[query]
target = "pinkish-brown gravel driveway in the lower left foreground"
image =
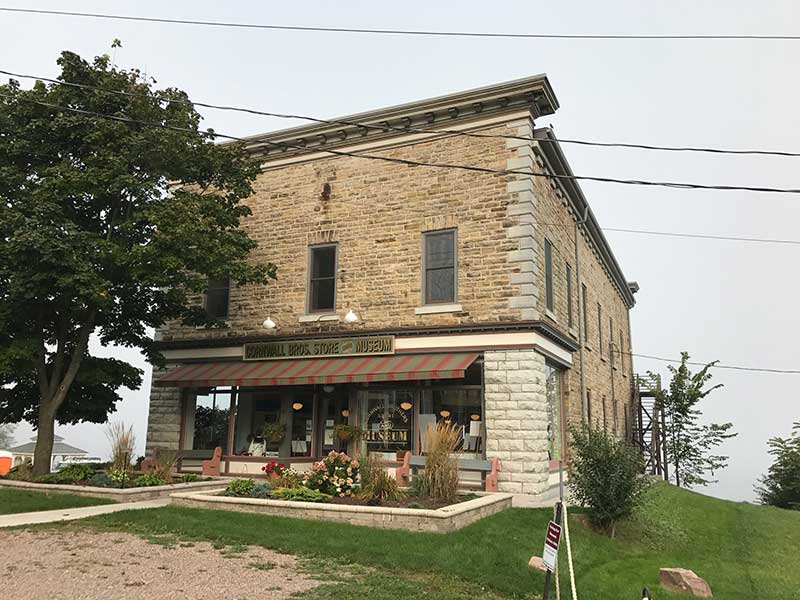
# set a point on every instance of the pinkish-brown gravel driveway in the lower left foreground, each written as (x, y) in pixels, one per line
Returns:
(87, 565)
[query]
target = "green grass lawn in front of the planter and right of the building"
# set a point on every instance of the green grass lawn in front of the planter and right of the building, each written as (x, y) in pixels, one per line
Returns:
(743, 551)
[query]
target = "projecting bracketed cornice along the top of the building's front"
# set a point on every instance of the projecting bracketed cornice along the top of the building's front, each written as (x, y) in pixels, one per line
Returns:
(443, 112)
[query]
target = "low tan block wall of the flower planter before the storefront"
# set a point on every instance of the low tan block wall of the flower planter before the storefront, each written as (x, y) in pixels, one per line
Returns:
(442, 520)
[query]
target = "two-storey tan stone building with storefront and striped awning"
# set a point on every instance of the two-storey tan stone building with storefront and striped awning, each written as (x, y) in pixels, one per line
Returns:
(407, 295)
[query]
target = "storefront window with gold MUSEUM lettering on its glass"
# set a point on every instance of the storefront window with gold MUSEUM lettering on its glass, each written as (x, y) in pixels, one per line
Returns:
(387, 420)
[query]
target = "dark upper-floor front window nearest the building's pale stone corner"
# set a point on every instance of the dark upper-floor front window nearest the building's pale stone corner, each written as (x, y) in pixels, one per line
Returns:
(439, 271)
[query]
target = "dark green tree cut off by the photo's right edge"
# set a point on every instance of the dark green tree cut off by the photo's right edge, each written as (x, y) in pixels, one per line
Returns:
(781, 485)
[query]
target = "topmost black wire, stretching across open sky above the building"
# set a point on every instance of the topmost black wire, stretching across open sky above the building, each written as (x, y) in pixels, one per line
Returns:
(415, 32)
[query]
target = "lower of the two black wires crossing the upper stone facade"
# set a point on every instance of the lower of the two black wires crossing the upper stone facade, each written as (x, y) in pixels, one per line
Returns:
(436, 165)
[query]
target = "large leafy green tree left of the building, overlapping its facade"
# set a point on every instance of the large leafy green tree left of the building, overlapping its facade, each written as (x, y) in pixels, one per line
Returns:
(107, 227)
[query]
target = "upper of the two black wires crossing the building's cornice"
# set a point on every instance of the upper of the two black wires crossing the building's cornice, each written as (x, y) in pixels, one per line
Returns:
(387, 128)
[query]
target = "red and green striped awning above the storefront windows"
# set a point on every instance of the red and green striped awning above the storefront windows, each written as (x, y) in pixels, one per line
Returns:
(397, 367)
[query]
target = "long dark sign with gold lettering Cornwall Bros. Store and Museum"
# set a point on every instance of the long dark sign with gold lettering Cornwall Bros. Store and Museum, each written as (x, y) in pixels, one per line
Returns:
(350, 346)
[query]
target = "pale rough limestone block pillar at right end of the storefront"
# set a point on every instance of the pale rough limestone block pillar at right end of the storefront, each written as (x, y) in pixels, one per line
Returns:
(516, 419)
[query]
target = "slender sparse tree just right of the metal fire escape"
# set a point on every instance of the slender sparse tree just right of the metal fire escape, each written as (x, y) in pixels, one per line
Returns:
(689, 444)
